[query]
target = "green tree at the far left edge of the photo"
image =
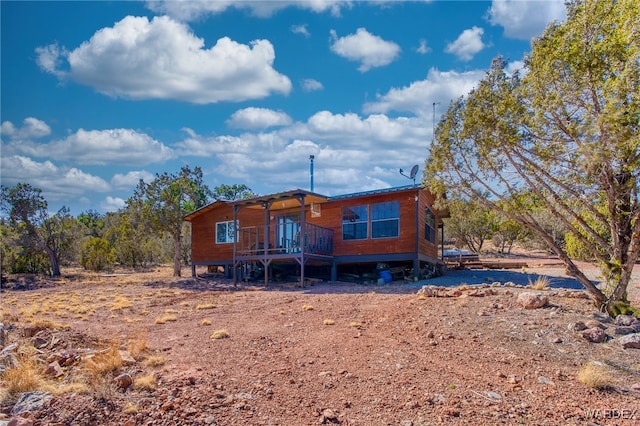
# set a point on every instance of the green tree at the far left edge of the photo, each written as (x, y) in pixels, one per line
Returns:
(27, 210)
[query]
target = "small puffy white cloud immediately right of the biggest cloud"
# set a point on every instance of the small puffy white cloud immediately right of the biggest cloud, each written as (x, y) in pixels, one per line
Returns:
(368, 49)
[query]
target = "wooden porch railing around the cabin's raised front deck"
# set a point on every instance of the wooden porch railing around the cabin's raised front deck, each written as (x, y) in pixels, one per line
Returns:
(288, 238)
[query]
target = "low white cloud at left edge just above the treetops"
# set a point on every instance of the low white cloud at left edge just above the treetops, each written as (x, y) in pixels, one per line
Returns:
(57, 183)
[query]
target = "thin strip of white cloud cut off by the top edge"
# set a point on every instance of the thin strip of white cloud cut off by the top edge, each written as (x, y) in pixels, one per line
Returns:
(190, 10)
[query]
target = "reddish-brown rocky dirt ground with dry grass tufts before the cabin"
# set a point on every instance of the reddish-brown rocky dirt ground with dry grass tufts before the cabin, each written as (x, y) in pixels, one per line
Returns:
(205, 353)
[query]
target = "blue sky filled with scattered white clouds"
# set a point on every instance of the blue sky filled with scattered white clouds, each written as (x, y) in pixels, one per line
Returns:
(97, 95)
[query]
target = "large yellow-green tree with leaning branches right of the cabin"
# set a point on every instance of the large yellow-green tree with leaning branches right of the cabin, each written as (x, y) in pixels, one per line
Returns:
(561, 137)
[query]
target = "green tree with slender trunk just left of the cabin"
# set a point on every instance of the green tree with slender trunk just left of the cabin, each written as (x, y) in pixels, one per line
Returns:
(166, 200)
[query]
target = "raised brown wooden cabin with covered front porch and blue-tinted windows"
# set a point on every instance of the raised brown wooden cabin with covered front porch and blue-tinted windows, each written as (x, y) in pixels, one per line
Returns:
(308, 234)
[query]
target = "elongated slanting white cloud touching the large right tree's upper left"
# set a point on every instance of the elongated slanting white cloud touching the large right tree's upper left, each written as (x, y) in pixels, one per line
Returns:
(418, 98)
